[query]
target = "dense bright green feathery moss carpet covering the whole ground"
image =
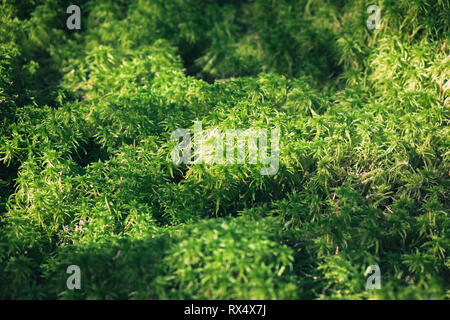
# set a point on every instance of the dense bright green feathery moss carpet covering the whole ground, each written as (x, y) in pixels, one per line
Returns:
(86, 176)
